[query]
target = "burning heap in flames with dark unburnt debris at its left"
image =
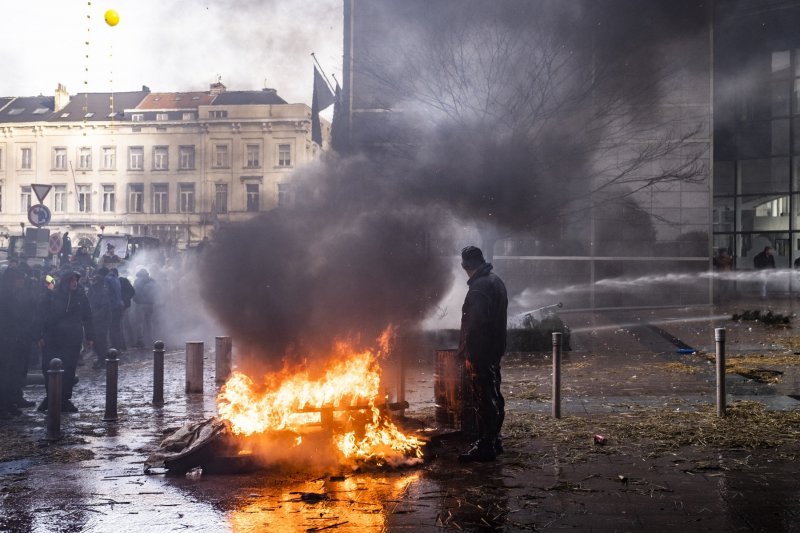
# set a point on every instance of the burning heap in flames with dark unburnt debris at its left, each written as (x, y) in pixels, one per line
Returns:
(338, 417)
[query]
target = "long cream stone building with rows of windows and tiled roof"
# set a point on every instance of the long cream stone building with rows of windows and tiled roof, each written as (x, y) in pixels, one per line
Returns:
(173, 165)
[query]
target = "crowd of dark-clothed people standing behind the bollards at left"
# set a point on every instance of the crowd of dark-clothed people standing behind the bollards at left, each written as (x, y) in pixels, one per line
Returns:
(74, 312)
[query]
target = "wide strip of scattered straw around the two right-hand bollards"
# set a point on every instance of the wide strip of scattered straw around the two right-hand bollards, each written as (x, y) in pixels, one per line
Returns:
(658, 431)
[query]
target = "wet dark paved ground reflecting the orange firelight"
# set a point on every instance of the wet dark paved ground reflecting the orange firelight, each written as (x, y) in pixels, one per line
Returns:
(551, 476)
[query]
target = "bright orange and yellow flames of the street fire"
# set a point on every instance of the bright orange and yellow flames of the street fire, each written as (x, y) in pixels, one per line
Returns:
(344, 400)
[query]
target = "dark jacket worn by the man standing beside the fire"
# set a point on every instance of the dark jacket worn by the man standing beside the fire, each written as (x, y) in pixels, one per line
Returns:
(483, 318)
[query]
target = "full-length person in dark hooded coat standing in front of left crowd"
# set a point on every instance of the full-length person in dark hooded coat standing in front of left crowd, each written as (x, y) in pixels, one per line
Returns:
(67, 321)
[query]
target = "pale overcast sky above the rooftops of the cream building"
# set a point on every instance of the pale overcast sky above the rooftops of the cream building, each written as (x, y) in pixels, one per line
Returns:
(168, 45)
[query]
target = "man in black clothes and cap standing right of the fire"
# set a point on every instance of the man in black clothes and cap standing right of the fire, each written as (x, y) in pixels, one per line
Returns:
(482, 345)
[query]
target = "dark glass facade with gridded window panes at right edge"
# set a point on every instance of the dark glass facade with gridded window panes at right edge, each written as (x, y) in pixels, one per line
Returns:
(757, 130)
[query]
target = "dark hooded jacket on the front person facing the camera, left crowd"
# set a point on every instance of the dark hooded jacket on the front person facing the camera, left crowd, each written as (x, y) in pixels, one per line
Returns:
(67, 315)
